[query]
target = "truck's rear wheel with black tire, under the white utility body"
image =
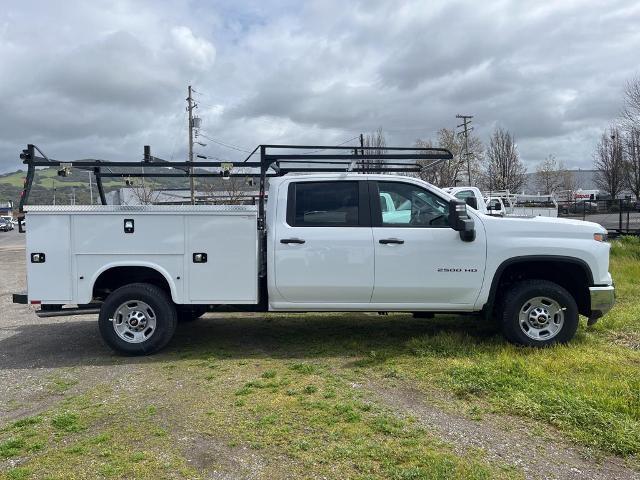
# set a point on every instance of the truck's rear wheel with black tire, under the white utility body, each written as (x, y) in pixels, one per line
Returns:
(137, 319)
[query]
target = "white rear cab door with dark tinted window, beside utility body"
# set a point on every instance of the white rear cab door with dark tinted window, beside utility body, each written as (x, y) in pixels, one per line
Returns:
(323, 245)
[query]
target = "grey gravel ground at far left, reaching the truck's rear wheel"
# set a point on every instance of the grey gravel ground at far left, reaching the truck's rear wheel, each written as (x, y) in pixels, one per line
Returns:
(35, 353)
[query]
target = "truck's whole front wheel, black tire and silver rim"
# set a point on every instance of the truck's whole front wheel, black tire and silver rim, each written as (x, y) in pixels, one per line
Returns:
(538, 313)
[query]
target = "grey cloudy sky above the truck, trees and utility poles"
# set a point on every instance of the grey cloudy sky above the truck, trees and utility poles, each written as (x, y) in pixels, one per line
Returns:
(101, 79)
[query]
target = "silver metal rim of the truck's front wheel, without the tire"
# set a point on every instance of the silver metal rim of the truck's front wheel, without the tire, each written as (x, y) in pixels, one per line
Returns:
(541, 318)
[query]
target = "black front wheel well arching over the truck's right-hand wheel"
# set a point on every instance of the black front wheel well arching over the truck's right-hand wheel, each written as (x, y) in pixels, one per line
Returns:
(575, 277)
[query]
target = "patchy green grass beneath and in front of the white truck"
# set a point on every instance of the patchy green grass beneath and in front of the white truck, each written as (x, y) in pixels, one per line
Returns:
(288, 396)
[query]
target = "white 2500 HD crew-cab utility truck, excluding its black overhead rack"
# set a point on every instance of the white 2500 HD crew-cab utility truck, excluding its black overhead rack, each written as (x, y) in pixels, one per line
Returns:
(329, 244)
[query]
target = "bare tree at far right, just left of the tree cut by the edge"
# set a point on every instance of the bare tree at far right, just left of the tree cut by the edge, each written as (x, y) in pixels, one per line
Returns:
(609, 163)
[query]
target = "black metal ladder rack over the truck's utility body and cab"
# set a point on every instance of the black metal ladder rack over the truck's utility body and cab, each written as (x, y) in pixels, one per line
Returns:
(274, 160)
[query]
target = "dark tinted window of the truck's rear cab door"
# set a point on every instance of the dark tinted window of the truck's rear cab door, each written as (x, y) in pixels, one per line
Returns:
(325, 204)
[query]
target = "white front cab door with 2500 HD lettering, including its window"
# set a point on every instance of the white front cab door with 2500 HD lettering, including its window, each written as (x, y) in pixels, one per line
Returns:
(419, 260)
